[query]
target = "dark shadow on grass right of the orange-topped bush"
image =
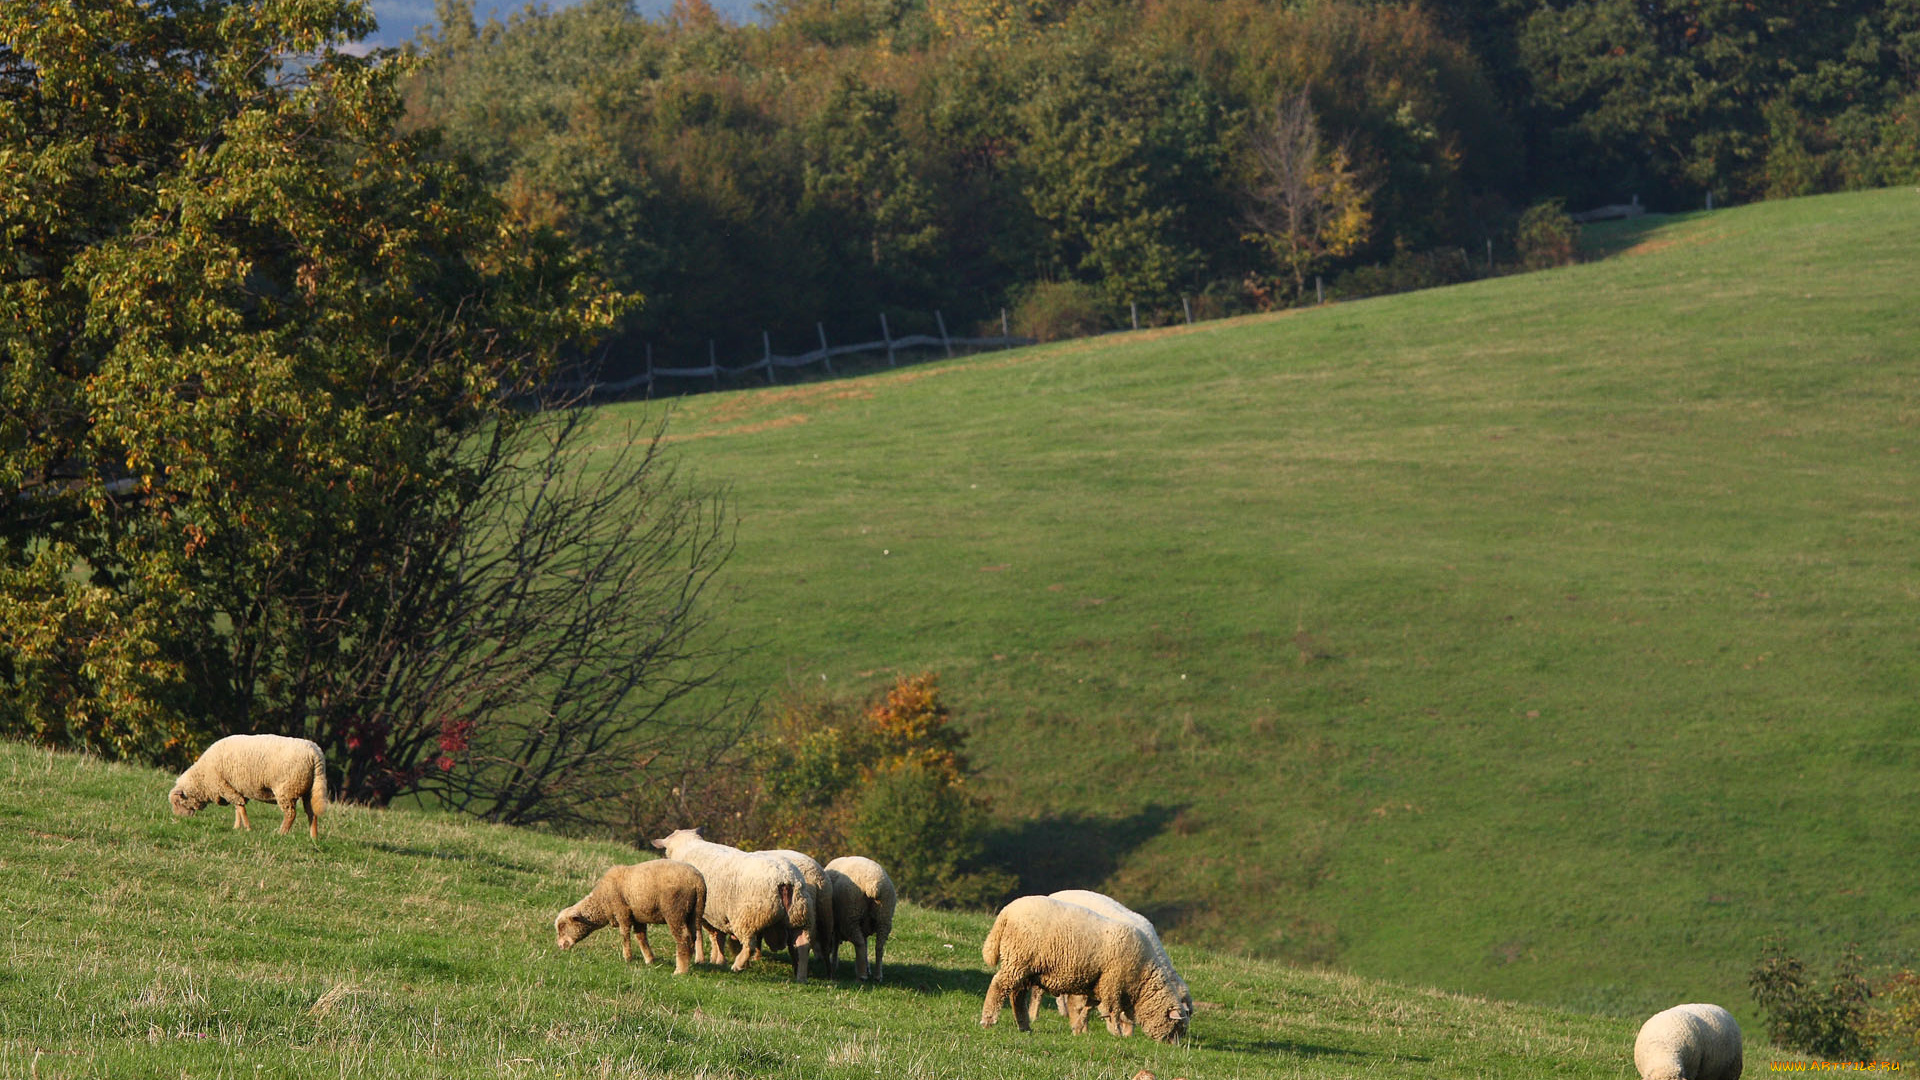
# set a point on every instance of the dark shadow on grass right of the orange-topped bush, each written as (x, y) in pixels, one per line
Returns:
(1074, 850)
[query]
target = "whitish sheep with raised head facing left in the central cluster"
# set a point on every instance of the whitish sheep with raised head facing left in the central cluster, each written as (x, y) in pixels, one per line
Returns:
(754, 898)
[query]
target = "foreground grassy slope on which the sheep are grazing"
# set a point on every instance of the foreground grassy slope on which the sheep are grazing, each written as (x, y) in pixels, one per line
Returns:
(420, 946)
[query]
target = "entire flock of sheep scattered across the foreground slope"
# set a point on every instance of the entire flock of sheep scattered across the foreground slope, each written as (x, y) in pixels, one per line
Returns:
(1088, 950)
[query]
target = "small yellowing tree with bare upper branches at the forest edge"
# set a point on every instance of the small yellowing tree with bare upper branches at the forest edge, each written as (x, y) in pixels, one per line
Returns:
(1307, 203)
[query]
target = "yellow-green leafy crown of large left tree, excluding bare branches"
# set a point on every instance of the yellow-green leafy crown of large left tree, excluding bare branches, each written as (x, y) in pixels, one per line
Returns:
(249, 335)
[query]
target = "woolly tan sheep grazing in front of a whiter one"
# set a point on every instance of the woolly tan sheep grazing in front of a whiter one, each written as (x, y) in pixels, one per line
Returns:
(1065, 948)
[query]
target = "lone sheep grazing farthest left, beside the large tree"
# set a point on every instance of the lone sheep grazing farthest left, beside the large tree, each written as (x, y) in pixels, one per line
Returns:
(256, 768)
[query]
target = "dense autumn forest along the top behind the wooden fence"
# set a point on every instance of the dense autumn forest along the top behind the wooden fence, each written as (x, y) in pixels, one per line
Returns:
(859, 157)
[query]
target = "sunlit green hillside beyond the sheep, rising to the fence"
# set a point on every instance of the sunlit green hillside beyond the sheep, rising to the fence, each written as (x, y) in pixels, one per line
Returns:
(1550, 637)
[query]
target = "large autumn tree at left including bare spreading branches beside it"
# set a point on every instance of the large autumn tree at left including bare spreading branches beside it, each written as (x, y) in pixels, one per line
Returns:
(264, 454)
